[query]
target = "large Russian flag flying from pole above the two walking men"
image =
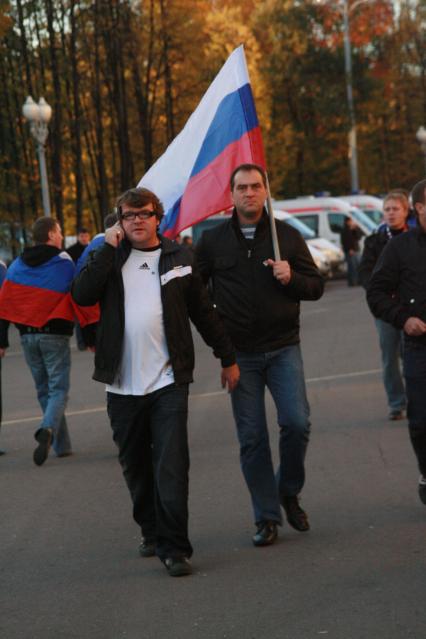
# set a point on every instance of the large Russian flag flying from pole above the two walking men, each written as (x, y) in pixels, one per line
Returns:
(191, 178)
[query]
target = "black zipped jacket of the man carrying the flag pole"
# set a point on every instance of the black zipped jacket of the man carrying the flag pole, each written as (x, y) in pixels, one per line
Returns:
(260, 313)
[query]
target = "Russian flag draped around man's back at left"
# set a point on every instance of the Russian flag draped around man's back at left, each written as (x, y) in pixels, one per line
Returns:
(34, 295)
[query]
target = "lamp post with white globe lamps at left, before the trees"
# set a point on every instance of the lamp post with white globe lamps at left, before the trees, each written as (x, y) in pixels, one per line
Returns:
(39, 116)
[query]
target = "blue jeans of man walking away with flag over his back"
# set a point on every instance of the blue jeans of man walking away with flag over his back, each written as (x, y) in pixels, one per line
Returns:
(49, 359)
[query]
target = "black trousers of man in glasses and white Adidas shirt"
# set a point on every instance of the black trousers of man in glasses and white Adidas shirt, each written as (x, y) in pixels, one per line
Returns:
(151, 434)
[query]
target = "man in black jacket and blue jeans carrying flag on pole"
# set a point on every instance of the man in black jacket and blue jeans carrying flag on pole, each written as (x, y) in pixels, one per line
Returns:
(259, 301)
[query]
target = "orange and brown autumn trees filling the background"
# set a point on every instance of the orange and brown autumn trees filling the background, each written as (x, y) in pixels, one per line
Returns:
(123, 76)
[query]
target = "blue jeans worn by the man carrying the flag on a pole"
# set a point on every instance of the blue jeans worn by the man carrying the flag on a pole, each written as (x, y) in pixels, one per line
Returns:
(282, 373)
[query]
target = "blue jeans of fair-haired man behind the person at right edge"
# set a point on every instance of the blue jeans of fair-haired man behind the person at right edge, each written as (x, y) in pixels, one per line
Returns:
(391, 349)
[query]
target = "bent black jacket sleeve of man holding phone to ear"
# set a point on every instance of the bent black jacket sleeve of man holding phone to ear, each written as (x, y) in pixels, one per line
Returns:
(89, 285)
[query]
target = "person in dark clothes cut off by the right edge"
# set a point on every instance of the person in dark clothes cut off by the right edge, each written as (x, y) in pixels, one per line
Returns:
(396, 293)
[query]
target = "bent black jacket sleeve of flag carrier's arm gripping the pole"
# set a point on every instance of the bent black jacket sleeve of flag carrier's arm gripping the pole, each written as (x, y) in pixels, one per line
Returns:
(306, 282)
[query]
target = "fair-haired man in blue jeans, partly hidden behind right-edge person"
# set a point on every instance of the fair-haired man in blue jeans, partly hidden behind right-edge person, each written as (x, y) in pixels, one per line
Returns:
(395, 210)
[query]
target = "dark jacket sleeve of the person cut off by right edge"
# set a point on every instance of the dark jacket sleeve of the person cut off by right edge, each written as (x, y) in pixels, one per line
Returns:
(383, 286)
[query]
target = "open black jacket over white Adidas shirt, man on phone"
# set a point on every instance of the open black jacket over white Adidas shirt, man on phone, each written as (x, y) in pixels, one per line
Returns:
(183, 298)
